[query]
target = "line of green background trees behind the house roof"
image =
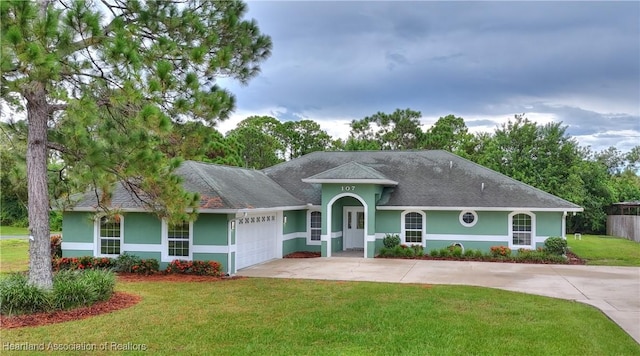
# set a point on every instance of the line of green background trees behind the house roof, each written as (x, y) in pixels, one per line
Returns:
(544, 156)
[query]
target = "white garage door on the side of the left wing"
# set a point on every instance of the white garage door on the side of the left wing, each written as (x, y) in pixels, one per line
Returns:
(256, 239)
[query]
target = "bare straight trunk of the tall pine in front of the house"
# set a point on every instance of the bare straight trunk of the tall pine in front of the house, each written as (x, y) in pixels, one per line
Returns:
(40, 273)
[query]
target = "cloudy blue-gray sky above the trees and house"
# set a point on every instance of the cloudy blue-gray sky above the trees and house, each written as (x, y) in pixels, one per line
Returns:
(332, 62)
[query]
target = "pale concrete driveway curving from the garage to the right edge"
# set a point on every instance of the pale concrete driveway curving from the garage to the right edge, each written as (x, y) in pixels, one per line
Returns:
(614, 290)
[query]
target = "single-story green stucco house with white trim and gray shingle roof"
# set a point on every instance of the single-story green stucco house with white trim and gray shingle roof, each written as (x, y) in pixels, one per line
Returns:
(328, 202)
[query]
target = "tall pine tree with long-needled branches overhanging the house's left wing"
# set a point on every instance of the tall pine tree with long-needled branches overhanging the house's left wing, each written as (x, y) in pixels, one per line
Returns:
(101, 82)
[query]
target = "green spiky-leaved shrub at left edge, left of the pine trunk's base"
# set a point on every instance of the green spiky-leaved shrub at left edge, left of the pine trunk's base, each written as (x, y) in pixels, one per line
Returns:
(18, 296)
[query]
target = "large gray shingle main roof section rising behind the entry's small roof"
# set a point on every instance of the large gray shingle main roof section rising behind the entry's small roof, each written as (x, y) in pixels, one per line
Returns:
(425, 179)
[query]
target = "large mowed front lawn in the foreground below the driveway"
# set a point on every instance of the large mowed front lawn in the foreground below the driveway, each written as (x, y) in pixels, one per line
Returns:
(303, 317)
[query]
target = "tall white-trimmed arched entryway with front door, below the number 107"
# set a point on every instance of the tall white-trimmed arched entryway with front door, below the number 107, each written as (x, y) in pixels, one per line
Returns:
(351, 210)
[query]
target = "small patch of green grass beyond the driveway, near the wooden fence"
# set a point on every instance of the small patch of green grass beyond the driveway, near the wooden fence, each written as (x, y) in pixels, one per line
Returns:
(606, 250)
